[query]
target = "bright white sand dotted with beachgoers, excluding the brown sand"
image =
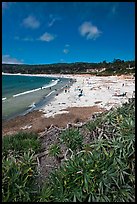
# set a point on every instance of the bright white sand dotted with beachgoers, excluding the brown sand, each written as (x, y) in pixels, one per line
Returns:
(95, 89)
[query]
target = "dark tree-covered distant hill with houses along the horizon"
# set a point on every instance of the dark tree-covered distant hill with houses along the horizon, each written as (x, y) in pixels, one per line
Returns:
(102, 68)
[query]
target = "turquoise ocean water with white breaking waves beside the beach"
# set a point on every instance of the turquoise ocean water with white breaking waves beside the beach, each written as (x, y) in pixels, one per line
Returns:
(23, 94)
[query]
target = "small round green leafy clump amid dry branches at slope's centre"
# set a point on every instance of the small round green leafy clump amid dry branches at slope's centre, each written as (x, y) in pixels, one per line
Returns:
(72, 139)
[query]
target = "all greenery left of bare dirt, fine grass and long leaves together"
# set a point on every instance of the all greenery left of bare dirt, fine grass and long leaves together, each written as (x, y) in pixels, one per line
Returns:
(19, 167)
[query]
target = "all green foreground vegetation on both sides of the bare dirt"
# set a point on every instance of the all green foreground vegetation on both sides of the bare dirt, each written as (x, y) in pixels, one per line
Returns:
(101, 171)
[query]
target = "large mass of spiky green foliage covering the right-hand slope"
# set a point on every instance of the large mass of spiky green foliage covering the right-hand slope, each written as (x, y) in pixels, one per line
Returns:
(104, 170)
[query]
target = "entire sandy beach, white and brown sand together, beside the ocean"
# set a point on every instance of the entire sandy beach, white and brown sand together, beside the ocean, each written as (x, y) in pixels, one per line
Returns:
(76, 103)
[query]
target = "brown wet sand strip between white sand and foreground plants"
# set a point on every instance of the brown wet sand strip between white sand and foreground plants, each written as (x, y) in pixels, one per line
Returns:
(37, 123)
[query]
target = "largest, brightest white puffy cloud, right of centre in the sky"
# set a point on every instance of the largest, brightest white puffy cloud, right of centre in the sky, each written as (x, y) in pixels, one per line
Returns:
(90, 31)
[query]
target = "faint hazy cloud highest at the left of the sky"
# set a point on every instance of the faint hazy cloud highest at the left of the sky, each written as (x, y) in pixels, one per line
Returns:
(31, 22)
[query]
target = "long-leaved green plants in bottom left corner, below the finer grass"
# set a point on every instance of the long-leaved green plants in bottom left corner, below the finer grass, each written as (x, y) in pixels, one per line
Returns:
(18, 176)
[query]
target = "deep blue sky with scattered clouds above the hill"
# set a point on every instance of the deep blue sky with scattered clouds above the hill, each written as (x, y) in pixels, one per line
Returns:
(57, 32)
